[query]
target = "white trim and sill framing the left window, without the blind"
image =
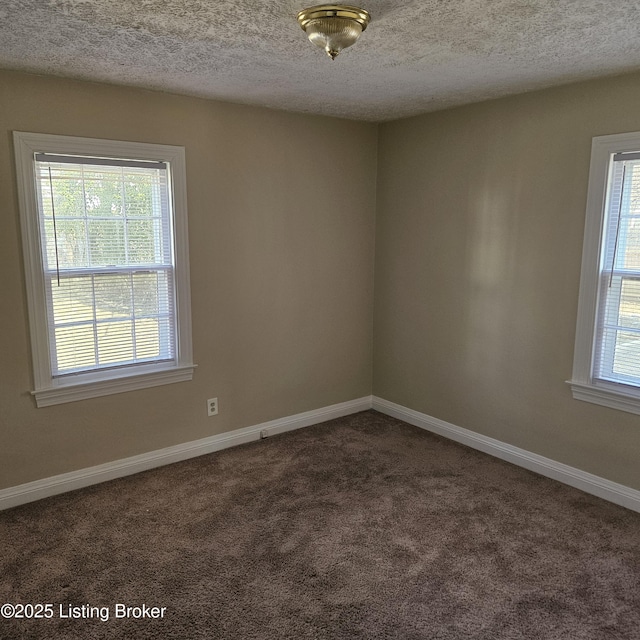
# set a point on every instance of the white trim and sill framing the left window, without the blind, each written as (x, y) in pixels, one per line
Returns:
(49, 391)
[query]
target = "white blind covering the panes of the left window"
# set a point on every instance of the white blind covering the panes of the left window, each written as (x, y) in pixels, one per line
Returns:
(107, 253)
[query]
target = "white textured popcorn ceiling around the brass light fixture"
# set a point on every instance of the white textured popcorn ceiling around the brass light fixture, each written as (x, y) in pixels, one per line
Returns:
(415, 56)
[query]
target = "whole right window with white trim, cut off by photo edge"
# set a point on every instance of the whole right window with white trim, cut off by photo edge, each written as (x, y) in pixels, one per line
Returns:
(607, 352)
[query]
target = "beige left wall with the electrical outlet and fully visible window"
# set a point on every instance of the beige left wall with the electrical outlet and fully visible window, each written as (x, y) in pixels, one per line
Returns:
(281, 231)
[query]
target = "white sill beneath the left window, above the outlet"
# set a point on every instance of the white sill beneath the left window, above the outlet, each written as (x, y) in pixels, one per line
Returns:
(85, 390)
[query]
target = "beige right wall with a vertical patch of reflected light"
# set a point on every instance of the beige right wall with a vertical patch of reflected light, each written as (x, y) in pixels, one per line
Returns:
(479, 241)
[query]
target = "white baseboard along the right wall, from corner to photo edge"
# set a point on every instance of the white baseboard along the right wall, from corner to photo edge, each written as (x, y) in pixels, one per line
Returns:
(587, 482)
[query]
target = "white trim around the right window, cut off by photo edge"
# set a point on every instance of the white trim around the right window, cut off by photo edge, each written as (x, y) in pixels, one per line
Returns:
(583, 385)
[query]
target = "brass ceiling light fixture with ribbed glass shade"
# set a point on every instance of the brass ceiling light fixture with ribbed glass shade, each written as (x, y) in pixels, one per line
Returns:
(333, 27)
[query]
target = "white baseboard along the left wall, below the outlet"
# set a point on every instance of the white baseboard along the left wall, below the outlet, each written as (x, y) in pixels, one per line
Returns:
(21, 494)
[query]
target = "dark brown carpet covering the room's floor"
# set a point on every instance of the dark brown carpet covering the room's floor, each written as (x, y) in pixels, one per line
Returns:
(359, 528)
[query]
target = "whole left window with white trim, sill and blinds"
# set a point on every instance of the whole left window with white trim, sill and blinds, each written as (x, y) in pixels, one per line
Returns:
(105, 243)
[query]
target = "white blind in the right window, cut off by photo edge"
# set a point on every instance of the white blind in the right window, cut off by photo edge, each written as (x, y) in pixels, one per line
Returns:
(617, 336)
